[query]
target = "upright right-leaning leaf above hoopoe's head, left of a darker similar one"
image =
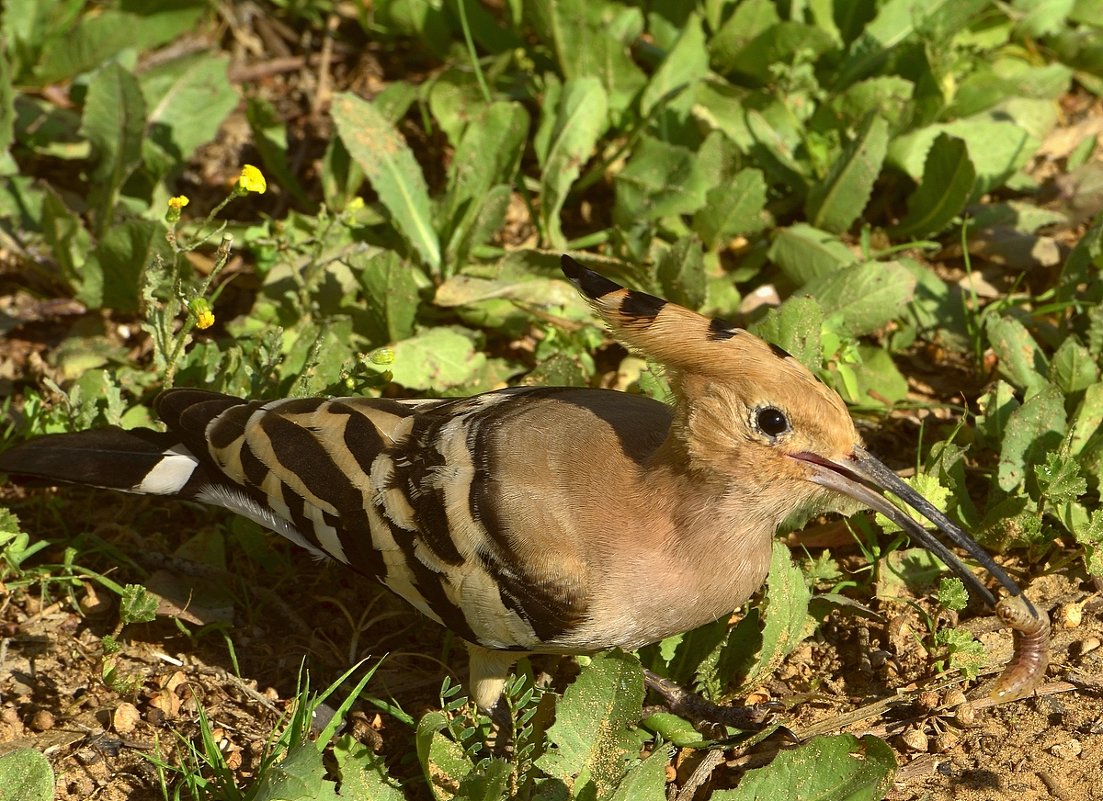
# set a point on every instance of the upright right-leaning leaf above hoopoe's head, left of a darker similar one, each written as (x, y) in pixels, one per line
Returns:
(837, 202)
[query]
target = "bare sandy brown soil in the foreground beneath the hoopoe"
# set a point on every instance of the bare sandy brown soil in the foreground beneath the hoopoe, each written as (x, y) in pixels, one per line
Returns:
(860, 674)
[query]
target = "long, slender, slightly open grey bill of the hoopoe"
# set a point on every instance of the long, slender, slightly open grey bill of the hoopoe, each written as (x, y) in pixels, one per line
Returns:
(864, 478)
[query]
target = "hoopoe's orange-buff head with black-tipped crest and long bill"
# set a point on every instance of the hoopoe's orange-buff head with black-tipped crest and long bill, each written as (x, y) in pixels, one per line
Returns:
(747, 412)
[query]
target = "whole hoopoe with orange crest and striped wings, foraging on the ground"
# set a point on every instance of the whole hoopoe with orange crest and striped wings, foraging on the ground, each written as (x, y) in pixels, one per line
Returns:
(532, 520)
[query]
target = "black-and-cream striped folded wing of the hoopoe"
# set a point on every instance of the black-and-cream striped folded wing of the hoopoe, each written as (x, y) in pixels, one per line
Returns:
(419, 495)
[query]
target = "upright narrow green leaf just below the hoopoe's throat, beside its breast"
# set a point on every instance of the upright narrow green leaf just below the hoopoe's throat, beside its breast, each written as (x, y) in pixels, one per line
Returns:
(787, 614)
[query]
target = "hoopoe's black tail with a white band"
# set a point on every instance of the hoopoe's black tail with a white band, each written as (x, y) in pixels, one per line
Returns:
(135, 461)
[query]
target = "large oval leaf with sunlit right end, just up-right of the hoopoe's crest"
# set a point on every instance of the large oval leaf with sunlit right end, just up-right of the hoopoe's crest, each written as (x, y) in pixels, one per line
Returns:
(865, 296)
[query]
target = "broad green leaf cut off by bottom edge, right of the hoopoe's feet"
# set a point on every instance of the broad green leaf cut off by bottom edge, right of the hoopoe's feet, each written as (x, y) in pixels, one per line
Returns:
(837, 768)
